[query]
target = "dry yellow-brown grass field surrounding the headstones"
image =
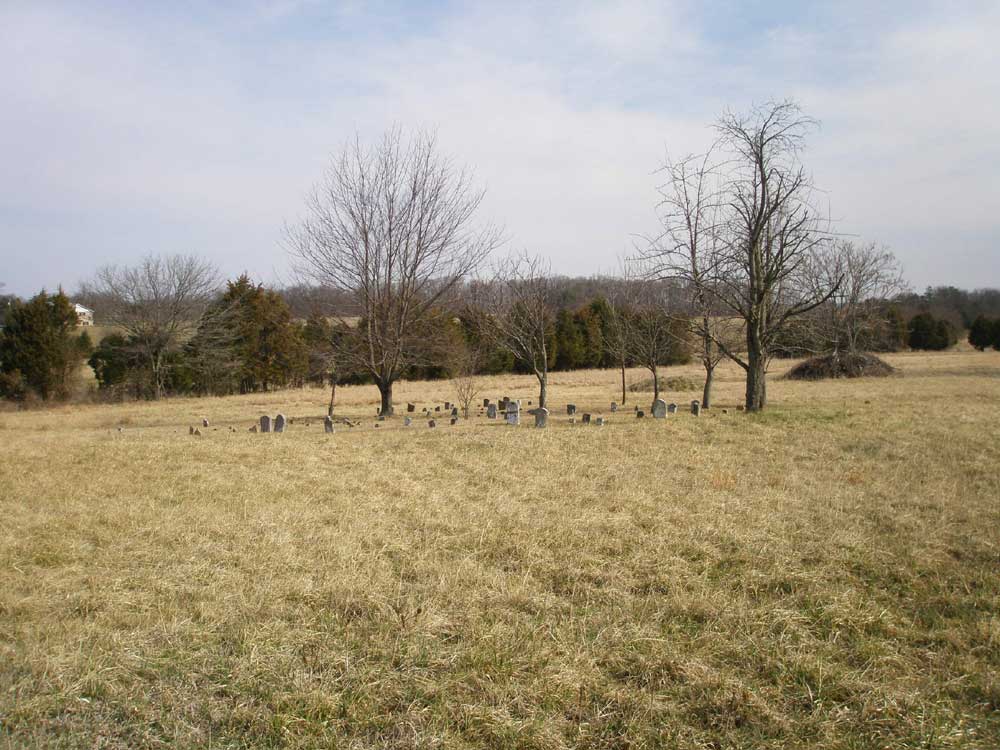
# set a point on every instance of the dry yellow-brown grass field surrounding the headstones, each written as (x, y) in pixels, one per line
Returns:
(823, 575)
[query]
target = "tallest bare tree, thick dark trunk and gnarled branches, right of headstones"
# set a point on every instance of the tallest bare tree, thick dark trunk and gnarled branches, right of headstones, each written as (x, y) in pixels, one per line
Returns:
(751, 259)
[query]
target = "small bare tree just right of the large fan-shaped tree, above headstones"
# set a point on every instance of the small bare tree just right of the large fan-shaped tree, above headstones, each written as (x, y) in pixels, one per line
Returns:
(520, 313)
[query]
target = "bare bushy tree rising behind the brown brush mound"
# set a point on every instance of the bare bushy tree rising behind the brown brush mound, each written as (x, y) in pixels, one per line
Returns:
(865, 277)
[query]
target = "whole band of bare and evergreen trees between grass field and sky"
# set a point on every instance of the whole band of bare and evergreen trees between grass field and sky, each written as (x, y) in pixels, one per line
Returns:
(399, 278)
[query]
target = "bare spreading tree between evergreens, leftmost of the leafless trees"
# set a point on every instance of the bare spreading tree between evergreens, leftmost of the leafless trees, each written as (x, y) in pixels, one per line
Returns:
(157, 304)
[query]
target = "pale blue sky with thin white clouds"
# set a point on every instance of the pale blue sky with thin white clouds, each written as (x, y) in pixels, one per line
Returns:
(189, 127)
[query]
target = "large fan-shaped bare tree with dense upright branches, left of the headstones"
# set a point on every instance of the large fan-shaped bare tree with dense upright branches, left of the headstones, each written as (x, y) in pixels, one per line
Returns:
(393, 226)
